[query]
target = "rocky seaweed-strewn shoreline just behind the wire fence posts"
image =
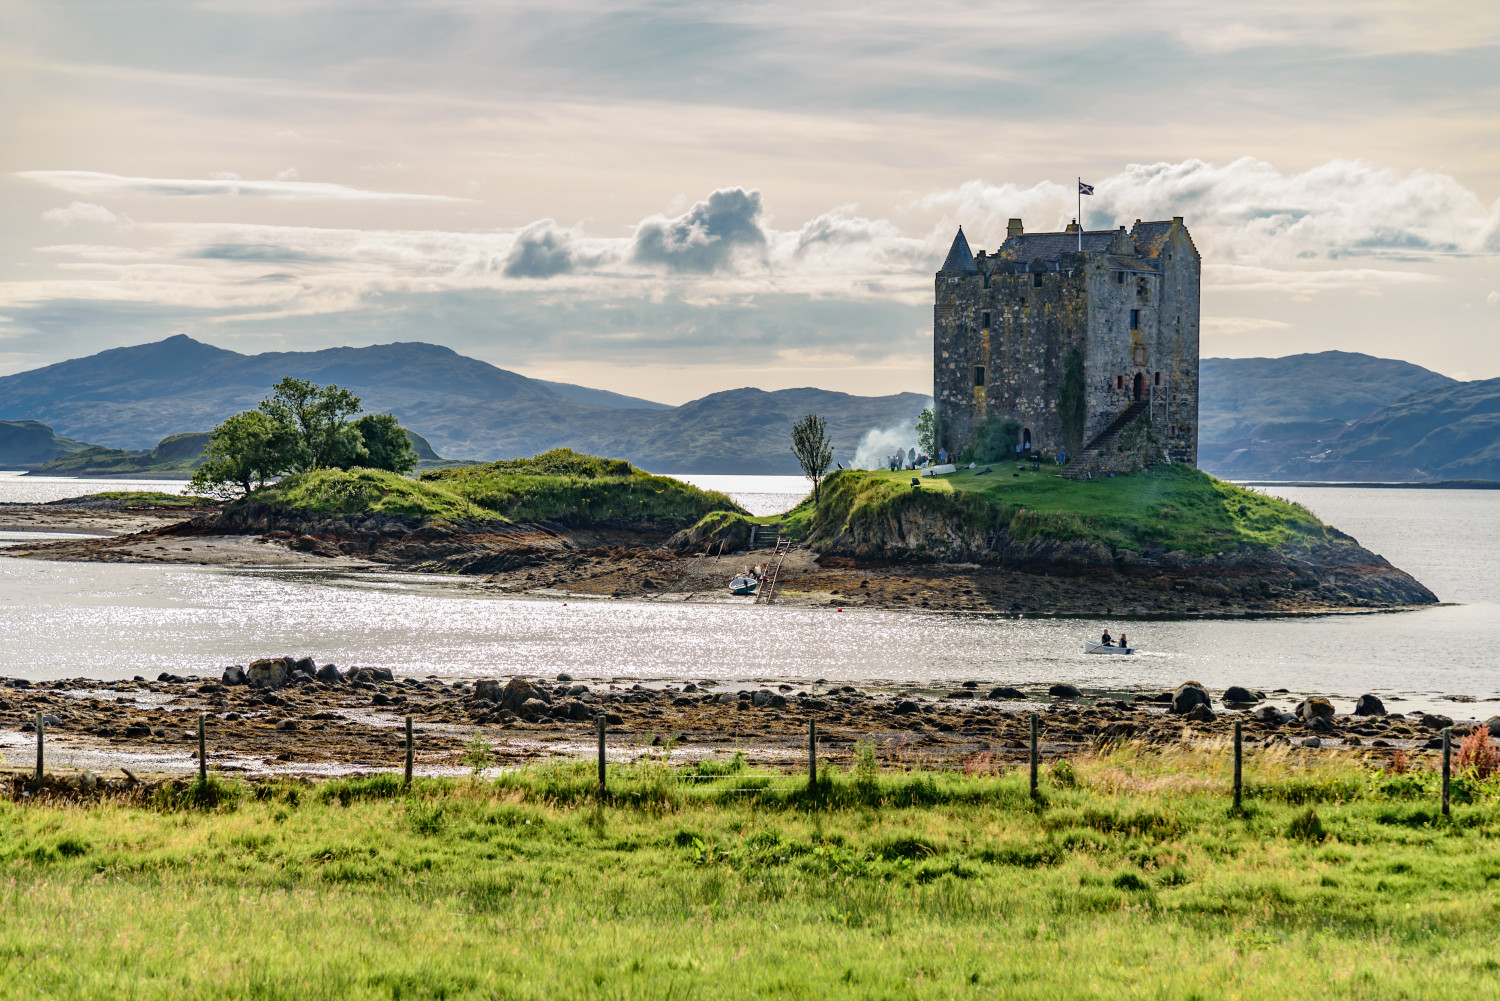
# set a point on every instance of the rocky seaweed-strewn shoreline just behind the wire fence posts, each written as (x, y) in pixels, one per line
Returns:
(293, 717)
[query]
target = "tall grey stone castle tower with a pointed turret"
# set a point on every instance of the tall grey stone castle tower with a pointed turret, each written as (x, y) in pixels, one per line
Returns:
(1087, 343)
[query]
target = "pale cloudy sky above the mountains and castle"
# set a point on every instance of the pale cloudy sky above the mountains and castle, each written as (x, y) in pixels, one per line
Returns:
(674, 199)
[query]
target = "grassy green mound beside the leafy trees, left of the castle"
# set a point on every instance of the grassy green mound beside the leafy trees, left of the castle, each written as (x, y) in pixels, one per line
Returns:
(559, 487)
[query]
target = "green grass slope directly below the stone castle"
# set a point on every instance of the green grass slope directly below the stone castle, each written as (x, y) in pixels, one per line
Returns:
(1174, 507)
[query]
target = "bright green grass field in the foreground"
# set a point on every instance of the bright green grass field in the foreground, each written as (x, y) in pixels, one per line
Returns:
(1130, 880)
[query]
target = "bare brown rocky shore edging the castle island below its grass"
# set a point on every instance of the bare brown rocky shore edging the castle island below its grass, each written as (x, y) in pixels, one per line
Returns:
(1033, 579)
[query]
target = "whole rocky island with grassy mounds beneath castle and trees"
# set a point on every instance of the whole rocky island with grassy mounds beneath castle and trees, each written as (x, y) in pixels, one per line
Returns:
(1006, 540)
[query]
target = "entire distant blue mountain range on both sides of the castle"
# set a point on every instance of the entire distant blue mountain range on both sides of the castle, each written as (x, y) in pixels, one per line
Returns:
(1328, 416)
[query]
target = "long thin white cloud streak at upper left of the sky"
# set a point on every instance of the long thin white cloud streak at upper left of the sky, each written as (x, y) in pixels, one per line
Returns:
(97, 185)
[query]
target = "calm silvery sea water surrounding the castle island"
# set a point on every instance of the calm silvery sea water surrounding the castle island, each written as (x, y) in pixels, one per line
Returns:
(118, 621)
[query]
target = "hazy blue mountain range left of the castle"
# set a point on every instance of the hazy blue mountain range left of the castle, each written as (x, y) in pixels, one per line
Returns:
(133, 398)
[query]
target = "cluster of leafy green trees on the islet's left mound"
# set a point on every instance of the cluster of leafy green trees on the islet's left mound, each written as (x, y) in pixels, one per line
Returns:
(301, 427)
